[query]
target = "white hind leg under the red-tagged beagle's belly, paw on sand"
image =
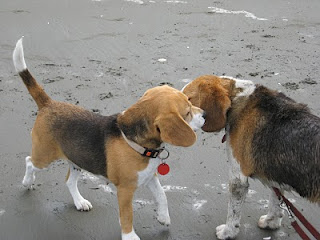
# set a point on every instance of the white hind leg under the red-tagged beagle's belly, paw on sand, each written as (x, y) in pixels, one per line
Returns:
(72, 183)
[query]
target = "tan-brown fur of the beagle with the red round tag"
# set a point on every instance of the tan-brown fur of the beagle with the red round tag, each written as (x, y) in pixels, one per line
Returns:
(163, 109)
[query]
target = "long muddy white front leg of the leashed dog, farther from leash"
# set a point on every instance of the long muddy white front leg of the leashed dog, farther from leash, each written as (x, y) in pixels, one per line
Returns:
(238, 188)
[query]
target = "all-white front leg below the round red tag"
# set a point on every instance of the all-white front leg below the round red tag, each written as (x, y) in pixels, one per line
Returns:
(161, 199)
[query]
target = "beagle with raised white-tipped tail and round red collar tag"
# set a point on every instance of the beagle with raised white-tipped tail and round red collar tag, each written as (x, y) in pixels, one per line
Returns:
(122, 147)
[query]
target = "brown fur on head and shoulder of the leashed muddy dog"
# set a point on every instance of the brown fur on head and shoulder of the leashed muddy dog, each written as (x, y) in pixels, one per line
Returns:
(244, 116)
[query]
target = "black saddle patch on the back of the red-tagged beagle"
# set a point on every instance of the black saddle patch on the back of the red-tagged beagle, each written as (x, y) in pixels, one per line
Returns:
(83, 136)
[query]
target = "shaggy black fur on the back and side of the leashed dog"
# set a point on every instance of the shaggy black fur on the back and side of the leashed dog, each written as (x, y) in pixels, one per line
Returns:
(287, 148)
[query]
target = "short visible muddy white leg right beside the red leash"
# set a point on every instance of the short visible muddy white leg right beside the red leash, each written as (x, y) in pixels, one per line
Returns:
(274, 217)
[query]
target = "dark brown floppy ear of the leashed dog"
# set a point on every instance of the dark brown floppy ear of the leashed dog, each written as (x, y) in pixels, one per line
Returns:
(215, 101)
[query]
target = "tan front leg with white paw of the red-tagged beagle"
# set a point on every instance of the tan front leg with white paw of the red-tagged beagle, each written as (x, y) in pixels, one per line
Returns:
(125, 196)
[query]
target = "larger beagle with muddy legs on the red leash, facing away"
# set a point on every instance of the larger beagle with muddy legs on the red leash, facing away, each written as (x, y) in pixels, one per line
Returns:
(269, 137)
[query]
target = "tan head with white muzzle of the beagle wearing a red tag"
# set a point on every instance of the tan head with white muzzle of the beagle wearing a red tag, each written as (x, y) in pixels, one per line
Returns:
(162, 114)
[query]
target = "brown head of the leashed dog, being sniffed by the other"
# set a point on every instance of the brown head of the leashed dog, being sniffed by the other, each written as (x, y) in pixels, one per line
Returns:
(211, 94)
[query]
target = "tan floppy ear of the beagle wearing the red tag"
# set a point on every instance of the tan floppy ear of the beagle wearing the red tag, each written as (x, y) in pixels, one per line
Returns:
(174, 130)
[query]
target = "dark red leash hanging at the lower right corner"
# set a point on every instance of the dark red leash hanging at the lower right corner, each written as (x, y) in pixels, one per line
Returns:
(292, 210)
